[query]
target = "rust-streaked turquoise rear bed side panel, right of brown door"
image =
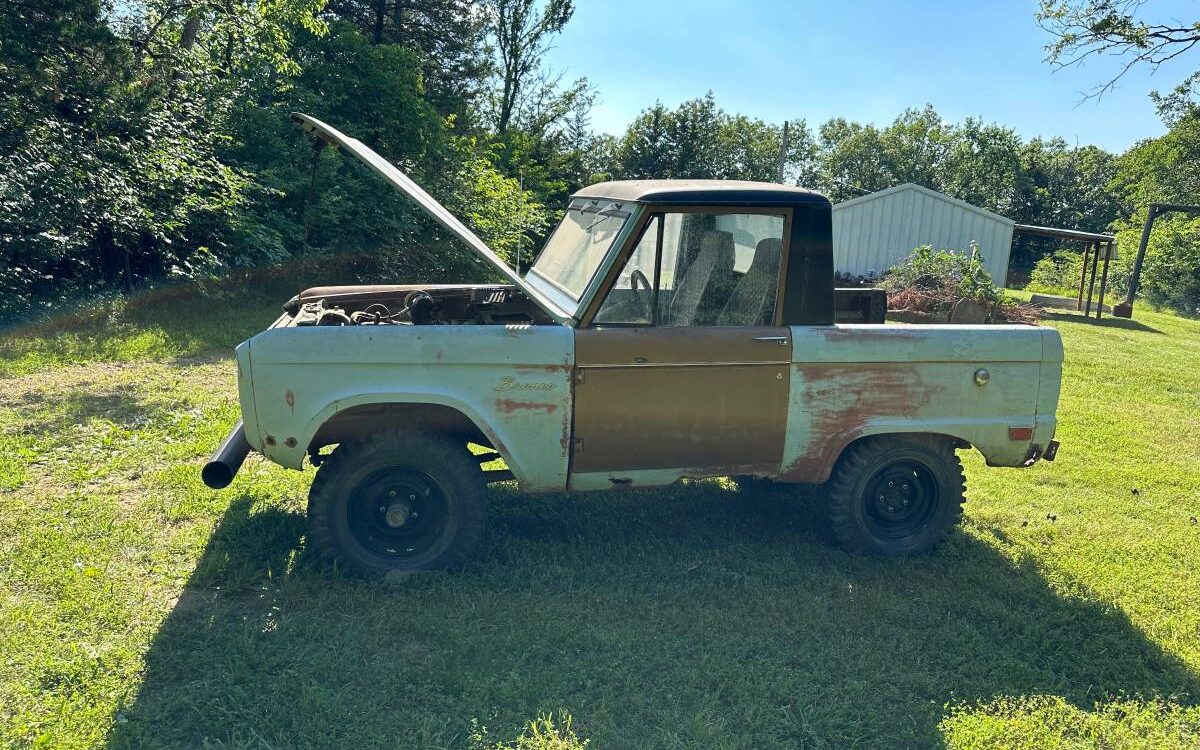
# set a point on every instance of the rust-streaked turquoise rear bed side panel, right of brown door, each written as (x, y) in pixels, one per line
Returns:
(854, 381)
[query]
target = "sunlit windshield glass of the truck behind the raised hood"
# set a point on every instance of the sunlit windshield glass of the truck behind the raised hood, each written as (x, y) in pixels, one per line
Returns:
(578, 247)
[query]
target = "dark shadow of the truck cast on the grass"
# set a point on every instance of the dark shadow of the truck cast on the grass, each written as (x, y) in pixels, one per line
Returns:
(695, 616)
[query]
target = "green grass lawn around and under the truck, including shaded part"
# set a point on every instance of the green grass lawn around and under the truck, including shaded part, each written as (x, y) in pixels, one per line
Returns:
(141, 610)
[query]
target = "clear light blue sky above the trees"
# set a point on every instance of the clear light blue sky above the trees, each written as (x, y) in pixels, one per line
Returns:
(865, 61)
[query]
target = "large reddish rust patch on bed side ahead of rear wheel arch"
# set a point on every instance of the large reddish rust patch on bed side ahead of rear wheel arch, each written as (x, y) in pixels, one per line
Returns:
(842, 400)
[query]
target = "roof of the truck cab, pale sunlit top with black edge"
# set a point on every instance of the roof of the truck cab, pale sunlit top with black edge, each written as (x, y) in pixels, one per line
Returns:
(704, 193)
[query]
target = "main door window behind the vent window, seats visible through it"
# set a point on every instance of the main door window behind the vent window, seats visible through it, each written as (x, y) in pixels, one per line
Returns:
(724, 269)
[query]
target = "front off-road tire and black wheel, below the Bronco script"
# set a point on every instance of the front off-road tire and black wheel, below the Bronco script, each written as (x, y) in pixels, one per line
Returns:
(343, 503)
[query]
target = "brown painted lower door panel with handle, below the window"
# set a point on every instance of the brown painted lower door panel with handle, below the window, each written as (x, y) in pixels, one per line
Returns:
(710, 400)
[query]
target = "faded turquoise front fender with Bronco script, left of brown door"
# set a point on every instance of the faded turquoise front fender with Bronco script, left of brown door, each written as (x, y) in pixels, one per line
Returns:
(513, 381)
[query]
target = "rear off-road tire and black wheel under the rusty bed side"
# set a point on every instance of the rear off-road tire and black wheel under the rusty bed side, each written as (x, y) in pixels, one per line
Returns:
(869, 517)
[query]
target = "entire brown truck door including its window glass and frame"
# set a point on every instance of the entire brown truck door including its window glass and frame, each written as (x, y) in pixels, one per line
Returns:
(682, 367)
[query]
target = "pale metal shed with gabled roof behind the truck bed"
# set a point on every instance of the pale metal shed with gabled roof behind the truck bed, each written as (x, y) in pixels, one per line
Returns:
(875, 232)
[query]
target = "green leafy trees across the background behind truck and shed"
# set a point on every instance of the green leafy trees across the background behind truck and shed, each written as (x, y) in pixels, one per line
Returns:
(147, 140)
